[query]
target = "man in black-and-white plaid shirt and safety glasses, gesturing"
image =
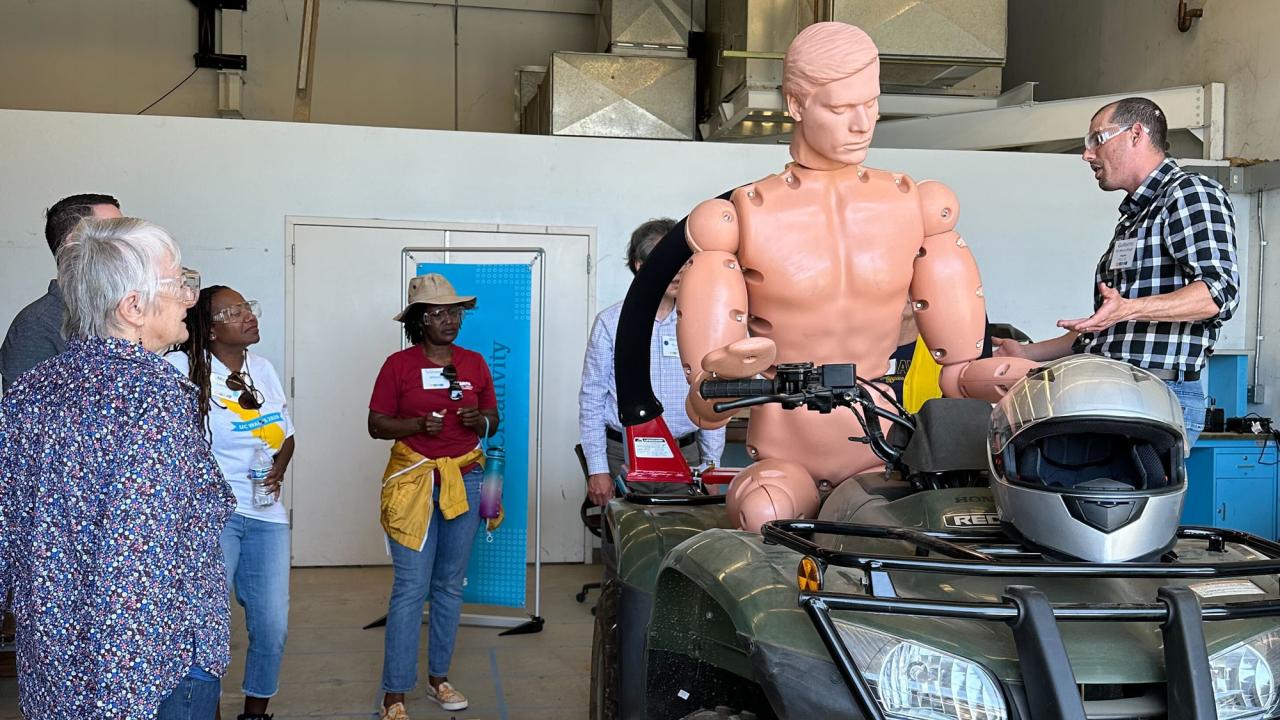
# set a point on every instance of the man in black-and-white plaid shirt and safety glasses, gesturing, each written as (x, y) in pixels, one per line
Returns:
(1169, 280)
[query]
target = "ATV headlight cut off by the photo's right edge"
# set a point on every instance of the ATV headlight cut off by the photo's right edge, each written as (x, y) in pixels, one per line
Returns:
(1245, 682)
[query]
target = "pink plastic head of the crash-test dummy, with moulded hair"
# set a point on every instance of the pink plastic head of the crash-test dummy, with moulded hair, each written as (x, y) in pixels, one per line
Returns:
(831, 84)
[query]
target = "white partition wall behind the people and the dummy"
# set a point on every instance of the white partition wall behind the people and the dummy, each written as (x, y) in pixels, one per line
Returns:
(1036, 224)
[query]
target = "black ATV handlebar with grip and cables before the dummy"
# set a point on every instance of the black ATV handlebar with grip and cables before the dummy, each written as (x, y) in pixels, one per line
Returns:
(817, 388)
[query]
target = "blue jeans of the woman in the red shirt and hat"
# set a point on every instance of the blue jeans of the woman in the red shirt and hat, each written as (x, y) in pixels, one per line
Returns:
(438, 571)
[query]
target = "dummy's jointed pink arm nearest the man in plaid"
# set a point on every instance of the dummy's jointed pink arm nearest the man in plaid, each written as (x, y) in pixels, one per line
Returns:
(950, 309)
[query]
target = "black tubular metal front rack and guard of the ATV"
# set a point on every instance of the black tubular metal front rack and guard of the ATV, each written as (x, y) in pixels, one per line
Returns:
(1046, 671)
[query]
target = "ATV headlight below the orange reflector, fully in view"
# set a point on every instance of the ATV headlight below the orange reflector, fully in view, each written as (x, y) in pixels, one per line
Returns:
(916, 682)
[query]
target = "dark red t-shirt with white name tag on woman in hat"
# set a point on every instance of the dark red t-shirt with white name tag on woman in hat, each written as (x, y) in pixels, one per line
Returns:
(412, 386)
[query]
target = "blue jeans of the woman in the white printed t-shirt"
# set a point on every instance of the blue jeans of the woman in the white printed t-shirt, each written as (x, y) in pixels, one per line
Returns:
(258, 568)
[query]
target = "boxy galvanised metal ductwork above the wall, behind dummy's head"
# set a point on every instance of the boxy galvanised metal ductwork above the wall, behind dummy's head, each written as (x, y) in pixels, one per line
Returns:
(644, 83)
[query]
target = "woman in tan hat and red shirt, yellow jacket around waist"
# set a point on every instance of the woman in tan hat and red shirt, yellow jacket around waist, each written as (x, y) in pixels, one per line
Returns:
(435, 399)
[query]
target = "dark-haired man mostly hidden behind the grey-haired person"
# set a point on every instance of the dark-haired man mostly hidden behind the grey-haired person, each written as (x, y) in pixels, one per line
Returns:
(36, 334)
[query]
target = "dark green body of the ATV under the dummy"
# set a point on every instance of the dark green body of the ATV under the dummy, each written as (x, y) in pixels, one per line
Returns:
(702, 617)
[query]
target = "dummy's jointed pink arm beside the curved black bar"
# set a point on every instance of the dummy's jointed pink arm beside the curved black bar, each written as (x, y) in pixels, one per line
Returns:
(712, 311)
